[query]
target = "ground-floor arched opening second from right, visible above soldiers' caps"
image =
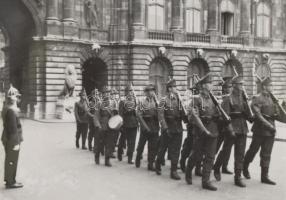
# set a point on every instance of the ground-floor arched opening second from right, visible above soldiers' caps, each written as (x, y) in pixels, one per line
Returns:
(231, 64)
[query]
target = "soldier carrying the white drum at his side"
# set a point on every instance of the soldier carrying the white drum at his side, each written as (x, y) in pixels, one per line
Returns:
(104, 137)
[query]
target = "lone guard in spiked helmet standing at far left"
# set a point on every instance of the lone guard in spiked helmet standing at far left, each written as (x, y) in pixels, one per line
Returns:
(11, 137)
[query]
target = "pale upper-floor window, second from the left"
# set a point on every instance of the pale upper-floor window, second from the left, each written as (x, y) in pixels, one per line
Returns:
(193, 16)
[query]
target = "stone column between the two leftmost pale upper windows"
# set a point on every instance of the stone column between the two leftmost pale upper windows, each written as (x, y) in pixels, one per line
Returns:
(176, 23)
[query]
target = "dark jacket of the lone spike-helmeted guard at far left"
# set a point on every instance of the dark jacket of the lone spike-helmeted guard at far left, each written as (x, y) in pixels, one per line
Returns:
(12, 132)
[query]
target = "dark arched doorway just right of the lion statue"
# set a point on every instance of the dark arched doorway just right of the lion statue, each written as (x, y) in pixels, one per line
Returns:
(94, 75)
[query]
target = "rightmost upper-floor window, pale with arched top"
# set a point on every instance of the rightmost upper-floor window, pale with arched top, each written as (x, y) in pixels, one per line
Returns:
(263, 20)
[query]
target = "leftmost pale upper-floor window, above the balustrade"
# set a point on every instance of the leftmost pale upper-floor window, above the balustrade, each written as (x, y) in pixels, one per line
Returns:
(156, 14)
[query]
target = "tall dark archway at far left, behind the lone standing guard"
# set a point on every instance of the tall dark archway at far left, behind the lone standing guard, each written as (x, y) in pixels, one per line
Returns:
(19, 24)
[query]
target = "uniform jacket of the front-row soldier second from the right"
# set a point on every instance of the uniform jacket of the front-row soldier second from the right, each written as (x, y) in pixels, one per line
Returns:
(234, 105)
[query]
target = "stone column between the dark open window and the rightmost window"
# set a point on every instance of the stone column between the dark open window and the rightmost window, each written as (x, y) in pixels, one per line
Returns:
(245, 17)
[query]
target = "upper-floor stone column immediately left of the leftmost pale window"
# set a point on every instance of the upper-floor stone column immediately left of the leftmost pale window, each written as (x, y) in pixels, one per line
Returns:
(138, 23)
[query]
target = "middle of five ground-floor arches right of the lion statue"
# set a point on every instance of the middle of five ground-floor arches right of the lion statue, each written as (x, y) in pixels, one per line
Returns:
(198, 67)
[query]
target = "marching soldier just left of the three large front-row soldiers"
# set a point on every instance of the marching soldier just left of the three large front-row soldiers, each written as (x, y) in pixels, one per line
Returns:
(170, 115)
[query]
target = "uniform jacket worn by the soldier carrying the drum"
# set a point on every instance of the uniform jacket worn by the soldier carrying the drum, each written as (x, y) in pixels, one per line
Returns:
(107, 109)
